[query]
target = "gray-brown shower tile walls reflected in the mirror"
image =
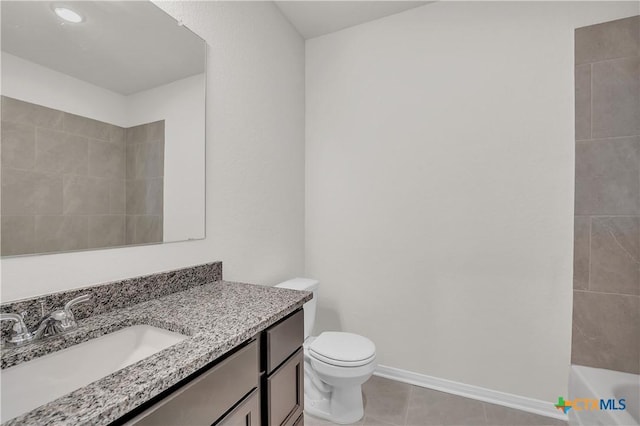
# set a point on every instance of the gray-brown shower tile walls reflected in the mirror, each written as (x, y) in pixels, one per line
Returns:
(73, 183)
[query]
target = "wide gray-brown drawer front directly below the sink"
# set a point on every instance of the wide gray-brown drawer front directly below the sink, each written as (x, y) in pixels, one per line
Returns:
(207, 397)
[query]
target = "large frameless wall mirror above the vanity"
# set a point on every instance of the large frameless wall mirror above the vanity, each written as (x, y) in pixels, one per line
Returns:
(103, 127)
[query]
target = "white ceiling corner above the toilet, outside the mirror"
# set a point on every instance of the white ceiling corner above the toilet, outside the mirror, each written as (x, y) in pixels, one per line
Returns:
(316, 18)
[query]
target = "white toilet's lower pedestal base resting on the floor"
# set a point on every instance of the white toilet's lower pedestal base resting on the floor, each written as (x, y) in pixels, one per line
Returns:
(342, 406)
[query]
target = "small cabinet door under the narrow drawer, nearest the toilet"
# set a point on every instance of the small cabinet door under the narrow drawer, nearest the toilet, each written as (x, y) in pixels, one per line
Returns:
(286, 392)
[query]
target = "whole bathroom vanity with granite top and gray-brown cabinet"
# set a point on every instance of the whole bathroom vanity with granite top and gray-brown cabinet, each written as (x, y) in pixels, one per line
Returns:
(240, 360)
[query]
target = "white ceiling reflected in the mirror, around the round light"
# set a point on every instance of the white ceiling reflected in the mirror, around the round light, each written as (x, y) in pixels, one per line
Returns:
(123, 46)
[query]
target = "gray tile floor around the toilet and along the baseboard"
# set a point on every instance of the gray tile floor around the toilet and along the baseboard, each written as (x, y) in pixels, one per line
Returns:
(391, 403)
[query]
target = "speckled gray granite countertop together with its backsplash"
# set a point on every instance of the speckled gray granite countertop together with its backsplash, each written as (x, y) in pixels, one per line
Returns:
(228, 315)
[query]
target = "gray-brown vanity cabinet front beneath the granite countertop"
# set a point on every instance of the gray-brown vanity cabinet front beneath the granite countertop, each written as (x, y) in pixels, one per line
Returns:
(259, 384)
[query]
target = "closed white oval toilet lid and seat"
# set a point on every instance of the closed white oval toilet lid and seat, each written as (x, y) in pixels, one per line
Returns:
(342, 349)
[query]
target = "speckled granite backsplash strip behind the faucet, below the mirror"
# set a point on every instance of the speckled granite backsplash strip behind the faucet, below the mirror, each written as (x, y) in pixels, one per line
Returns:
(116, 294)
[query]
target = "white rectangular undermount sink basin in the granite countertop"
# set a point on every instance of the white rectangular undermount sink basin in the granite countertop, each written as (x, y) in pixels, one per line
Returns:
(31, 384)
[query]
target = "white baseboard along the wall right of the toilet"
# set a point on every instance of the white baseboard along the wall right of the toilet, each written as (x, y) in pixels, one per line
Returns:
(535, 406)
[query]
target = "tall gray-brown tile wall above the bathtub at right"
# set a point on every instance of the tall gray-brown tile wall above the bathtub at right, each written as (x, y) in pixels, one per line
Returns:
(606, 279)
